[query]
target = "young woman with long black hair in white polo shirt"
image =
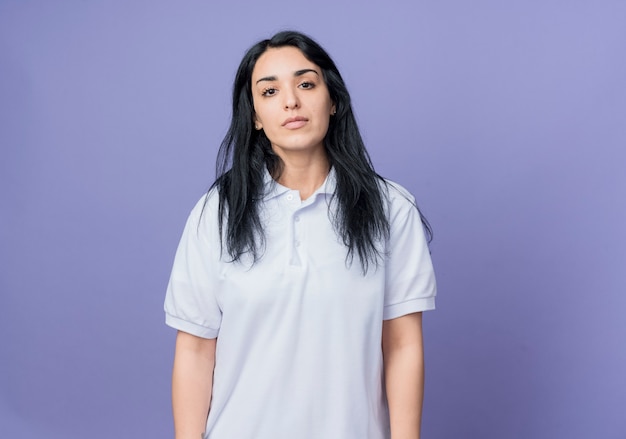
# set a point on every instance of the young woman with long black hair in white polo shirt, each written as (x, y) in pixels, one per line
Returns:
(299, 282)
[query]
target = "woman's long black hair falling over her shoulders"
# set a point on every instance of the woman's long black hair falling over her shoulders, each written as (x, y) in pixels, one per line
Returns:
(245, 156)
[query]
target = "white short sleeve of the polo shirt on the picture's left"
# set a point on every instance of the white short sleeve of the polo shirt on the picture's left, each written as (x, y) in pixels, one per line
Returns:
(191, 303)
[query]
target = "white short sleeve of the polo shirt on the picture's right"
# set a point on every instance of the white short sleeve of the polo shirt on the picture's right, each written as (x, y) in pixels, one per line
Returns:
(410, 284)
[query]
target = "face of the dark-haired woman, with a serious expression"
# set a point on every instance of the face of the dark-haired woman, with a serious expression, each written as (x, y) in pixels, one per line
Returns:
(291, 101)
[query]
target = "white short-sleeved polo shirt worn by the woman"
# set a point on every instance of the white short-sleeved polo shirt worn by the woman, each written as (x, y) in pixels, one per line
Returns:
(299, 332)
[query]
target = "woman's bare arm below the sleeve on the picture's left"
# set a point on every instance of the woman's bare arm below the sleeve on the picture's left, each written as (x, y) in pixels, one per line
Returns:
(192, 382)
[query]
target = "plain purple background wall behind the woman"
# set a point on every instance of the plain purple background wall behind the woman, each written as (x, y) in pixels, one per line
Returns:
(507, 119)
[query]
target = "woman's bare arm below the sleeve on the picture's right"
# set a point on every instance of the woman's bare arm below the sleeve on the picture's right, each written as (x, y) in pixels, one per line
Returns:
(403, 355)
